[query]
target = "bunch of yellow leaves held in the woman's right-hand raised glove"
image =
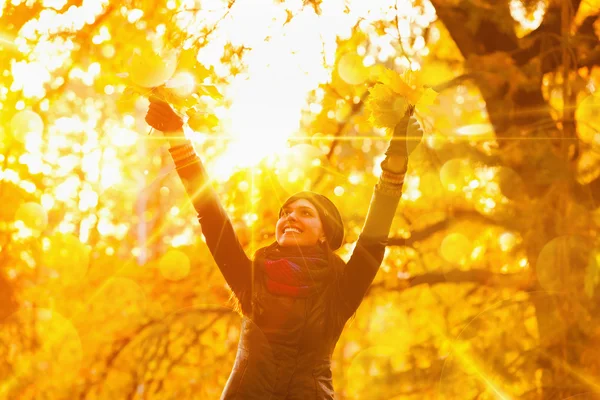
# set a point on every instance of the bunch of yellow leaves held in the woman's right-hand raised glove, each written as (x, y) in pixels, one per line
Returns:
(391, 97)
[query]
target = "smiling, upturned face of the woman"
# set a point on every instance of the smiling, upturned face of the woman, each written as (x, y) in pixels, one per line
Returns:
(299, 225)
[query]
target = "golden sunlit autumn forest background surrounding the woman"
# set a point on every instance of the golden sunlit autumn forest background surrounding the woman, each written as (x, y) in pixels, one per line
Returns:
(489, 288)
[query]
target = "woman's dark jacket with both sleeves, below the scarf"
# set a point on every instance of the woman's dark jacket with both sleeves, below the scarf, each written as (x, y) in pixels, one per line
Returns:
(286, 343)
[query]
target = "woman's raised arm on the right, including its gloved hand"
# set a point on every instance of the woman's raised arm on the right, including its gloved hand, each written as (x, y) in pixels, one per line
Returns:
(370, 247)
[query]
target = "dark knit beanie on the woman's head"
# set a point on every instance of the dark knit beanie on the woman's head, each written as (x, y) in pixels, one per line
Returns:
(333, 226)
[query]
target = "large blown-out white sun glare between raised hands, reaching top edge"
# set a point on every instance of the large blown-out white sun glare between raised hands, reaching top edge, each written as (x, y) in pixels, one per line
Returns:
(285, 61)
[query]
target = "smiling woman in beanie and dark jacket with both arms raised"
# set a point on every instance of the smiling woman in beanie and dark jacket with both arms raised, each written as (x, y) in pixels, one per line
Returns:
(296, 294)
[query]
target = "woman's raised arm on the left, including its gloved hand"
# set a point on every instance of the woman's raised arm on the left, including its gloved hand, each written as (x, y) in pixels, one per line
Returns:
(217, 229)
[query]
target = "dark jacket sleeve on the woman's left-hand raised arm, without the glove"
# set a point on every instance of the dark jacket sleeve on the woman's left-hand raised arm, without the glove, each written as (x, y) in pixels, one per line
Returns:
(216, 225)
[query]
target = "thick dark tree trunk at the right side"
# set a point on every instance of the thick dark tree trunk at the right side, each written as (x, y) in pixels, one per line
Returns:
(517, 109)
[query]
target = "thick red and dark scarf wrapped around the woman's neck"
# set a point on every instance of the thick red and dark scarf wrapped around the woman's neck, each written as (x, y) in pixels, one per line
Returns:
(293, 271)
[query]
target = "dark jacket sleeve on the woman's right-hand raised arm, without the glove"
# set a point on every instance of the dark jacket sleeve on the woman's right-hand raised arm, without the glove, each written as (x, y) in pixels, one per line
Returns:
(370, 246)
